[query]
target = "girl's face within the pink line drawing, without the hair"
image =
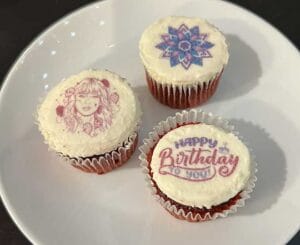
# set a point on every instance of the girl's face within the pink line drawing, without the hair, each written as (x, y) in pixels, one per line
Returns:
(87, 103)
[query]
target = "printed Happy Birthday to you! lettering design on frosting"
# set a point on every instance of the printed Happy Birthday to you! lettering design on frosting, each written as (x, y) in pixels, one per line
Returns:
(197, 159)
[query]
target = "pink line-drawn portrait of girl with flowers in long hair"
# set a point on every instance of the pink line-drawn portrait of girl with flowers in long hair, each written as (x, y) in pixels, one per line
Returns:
(88, 107)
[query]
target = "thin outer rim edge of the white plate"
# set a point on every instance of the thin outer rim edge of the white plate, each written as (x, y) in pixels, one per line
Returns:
(26, 50)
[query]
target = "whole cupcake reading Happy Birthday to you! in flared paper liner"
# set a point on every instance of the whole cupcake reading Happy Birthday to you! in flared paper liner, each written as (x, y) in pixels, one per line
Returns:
(197, 167)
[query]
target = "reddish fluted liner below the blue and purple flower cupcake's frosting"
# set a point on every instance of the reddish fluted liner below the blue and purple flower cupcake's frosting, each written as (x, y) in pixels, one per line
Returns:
(183, 96)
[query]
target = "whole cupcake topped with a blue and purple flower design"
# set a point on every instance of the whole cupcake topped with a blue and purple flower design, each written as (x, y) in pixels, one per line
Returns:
(184, 59)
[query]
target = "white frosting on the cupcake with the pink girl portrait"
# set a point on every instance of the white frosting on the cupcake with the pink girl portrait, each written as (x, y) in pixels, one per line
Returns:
(80, 140)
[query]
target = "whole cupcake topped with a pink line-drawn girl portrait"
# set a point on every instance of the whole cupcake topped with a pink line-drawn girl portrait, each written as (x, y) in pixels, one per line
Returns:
(91, 120)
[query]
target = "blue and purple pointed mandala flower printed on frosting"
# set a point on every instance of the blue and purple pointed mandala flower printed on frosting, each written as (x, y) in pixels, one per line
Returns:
(185, 46)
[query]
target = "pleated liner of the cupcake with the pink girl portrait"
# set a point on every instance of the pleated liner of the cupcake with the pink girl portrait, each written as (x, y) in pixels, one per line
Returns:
(106, 162)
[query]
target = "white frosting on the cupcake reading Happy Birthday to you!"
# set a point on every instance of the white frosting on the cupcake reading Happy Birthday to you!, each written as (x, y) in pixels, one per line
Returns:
(207, 192)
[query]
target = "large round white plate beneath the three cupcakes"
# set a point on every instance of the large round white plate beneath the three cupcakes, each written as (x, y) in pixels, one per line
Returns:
(53, 203)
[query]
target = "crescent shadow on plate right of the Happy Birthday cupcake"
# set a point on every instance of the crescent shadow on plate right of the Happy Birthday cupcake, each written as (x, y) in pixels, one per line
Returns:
(271, 165)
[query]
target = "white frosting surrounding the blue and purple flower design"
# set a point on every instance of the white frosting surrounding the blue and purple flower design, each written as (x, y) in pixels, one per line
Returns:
(159, 67)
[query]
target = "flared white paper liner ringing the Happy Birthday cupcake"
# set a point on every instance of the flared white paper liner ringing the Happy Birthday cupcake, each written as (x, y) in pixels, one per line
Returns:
(184, 117)
